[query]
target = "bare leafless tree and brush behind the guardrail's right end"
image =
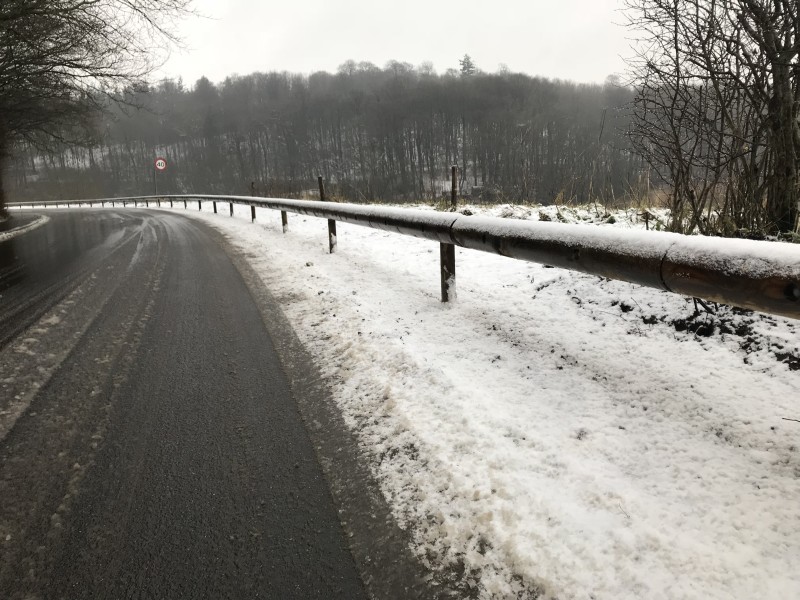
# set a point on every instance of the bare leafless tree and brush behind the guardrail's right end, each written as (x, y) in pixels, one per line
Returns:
(717, 113)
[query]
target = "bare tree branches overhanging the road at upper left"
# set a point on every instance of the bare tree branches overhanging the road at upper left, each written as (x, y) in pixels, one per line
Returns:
(59, 60)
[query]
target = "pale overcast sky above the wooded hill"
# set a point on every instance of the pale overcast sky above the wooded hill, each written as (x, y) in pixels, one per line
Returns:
(567, 39)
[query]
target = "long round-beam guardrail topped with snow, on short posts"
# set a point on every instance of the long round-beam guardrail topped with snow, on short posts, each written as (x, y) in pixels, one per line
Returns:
(763, 276)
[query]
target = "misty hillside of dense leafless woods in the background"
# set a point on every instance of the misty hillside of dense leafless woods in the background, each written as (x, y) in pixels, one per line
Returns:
(373, 134)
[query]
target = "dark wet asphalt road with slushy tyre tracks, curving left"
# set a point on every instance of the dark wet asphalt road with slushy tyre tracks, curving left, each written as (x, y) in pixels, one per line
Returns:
(149, 443)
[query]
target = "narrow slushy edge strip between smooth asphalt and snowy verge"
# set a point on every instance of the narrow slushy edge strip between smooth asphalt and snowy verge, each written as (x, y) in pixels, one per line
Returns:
(379, 546)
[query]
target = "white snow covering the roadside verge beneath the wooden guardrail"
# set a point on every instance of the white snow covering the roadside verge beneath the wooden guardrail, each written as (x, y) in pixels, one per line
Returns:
(552, 433)
